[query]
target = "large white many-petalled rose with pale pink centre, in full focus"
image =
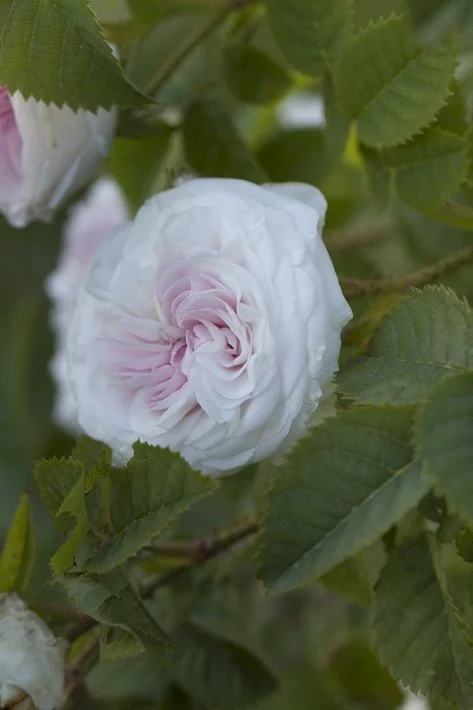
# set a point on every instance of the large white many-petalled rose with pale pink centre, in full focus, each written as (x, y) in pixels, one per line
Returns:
(209, 325)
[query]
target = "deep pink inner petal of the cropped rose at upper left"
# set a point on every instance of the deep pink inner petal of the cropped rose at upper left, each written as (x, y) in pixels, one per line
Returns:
(10, 144)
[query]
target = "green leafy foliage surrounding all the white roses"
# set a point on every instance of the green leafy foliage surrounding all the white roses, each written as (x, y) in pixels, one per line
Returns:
(336, 577)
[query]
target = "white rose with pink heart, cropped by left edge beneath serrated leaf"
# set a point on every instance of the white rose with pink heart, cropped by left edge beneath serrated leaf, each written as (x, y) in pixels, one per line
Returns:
(46, 153)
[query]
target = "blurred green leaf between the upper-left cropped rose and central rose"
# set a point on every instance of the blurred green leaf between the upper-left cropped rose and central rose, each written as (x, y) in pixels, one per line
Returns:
(135, 163)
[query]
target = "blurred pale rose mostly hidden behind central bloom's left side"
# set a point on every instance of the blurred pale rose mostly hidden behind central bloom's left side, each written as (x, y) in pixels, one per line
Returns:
(88, 222)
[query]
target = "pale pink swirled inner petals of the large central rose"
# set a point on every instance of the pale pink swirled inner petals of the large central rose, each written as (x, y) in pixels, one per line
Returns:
(203, 330)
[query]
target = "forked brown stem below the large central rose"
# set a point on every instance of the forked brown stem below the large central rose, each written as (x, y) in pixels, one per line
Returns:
(197, 553)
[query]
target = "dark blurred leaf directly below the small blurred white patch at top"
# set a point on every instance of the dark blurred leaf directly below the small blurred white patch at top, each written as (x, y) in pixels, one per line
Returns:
(296, 156)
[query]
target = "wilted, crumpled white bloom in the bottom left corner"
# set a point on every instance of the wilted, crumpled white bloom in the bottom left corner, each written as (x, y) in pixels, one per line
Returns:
(32, 660)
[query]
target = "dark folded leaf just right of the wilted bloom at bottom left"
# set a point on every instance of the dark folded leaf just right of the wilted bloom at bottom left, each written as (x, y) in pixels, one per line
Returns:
(111, 600)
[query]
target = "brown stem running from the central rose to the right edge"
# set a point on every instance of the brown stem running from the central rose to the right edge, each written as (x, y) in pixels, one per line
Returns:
(358, 288)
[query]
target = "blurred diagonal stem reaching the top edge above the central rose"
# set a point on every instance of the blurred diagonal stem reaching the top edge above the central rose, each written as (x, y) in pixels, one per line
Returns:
(166, 70)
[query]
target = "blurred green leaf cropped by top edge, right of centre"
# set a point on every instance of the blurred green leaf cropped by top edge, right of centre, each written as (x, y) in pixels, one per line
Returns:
(312, 35)
